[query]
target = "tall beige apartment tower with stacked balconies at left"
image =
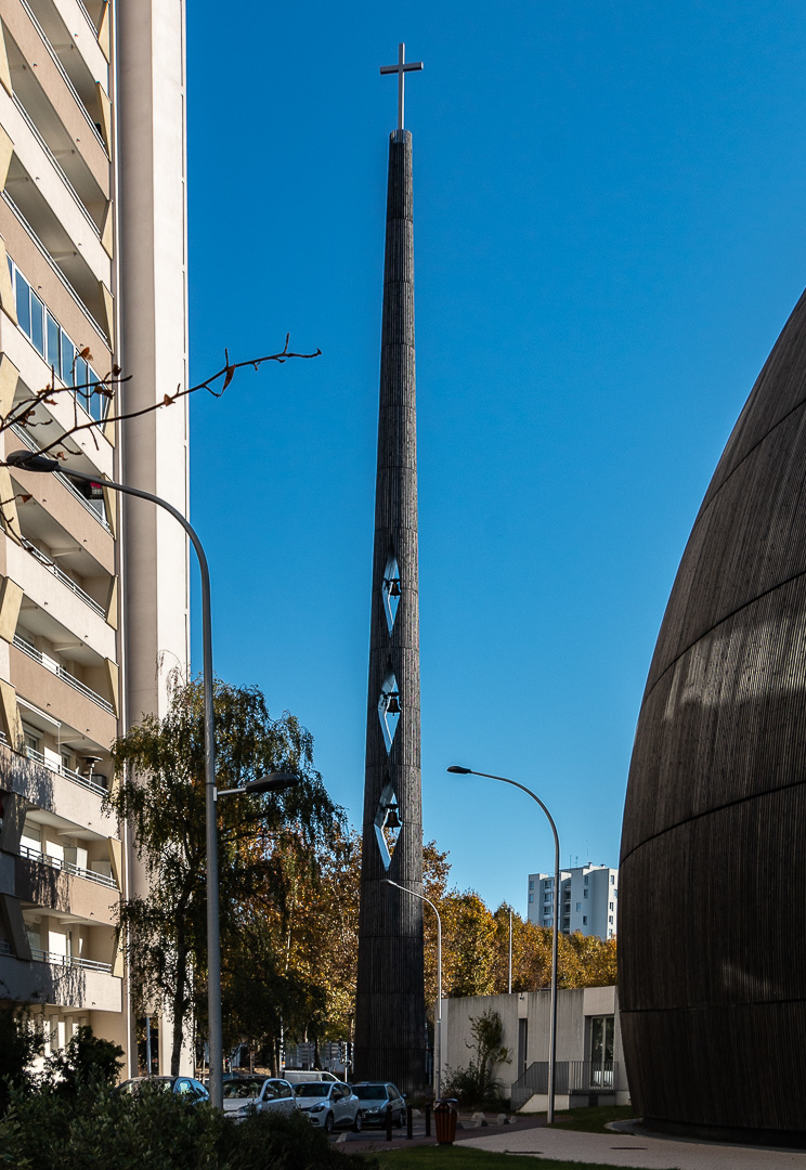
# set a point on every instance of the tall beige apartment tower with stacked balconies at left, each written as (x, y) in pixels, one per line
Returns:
(94, 597)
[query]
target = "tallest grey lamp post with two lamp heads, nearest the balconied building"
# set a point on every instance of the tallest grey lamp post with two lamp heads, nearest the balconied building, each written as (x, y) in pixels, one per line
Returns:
(30, 462)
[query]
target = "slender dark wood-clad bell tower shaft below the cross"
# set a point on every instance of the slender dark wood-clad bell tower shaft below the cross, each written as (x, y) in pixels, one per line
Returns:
(390, 1011)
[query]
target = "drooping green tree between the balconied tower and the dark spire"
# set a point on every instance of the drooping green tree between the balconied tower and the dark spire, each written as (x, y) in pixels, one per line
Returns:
(265, 842)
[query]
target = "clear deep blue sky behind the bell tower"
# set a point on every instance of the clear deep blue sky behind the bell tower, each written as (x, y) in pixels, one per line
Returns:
(610, 208)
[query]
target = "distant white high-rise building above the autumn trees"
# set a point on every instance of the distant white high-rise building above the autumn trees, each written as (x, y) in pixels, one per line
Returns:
(589, 900)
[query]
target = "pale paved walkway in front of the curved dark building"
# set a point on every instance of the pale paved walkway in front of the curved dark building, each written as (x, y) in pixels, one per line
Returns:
(628, 1150)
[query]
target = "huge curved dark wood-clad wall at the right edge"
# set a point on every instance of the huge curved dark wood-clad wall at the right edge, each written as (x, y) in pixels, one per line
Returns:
(712, 907)
